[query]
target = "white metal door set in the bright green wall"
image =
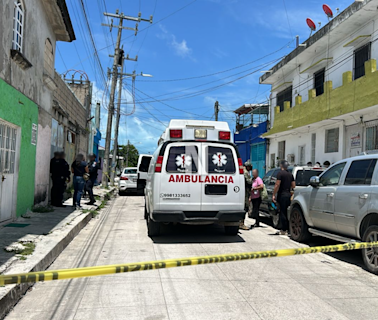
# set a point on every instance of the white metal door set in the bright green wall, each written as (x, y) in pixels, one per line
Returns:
(8, 139)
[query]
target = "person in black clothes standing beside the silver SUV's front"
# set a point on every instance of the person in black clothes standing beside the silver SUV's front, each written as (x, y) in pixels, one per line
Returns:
(282, 193)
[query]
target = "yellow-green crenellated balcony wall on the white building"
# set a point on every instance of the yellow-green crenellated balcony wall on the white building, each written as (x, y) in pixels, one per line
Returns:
(351, 96)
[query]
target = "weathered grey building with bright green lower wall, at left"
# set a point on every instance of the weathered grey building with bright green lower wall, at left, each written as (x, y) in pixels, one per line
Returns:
(26, 85)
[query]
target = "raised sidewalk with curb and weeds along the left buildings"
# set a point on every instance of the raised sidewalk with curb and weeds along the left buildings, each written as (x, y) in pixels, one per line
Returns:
(33, 242)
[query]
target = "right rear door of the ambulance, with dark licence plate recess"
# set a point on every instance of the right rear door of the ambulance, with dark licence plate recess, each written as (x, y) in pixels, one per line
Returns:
(223, 189)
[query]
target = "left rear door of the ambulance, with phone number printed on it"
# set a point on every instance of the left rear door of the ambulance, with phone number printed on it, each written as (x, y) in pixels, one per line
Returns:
(180, 189)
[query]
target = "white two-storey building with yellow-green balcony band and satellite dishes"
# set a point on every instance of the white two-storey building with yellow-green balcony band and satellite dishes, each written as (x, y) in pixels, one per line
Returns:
(324, 97)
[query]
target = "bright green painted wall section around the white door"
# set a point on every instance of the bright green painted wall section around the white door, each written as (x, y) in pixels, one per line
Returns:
(19, 110)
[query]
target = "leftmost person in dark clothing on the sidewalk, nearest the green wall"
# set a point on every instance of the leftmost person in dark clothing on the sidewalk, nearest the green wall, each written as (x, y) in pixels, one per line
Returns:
(58, 178)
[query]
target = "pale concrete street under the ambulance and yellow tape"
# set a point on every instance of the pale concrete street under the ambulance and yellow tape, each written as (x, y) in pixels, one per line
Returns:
(316, 286)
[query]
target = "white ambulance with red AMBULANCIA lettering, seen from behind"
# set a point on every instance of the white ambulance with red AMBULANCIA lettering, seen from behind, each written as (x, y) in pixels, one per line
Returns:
(195, 177)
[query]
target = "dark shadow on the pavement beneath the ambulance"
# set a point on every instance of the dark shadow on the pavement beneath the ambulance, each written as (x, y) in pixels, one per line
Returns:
(182, 234)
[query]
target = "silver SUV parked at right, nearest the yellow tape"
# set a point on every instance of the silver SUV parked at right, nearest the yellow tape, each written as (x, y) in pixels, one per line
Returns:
(340, 204)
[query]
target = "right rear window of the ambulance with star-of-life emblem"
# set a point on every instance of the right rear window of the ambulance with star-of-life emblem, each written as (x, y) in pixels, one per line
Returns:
(220, 160)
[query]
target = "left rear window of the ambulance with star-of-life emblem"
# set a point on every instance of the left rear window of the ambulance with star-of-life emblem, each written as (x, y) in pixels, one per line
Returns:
(182, 159)
